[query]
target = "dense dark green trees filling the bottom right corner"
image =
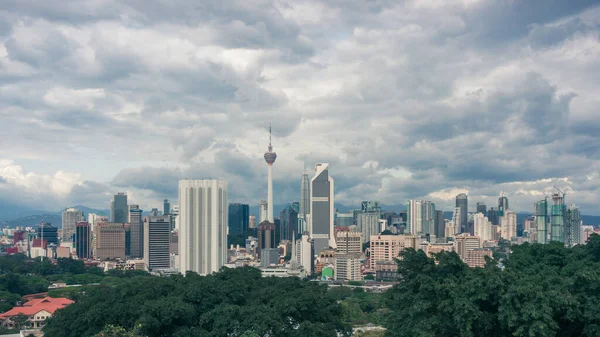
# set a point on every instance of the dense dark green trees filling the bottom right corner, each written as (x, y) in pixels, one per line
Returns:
(544, 290)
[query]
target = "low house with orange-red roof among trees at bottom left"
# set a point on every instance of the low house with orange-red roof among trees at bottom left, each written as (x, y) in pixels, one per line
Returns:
(36, 310)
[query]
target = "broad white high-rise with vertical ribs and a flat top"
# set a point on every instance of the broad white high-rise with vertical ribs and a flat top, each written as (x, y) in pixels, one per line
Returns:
(203, 225)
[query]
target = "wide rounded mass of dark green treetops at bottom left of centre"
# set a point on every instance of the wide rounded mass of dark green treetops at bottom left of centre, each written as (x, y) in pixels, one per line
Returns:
(233, 302)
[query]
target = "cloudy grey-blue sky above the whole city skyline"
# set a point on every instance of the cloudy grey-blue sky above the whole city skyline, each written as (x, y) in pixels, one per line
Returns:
(418, 99)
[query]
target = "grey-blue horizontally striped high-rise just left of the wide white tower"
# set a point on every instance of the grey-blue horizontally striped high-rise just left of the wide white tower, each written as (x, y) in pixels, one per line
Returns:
(157, 238)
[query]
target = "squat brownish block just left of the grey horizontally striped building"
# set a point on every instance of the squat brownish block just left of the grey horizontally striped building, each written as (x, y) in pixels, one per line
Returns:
(110, 241)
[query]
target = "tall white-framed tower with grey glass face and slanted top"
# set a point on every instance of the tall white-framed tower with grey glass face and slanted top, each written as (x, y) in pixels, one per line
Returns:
(322, 208)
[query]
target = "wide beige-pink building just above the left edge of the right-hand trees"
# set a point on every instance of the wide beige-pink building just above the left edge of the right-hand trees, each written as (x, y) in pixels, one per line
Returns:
(388, 247)
